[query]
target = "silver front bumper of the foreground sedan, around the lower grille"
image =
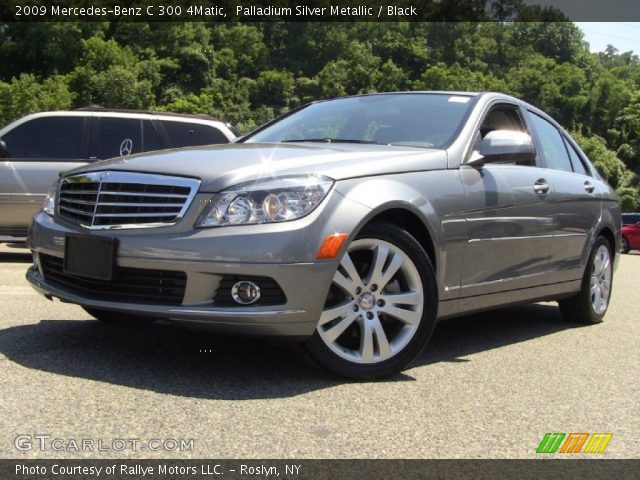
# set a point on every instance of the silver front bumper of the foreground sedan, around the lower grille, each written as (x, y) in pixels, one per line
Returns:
(305, 283)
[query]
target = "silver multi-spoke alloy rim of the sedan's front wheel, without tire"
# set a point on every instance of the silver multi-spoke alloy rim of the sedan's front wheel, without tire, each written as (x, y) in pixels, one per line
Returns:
(375, 304)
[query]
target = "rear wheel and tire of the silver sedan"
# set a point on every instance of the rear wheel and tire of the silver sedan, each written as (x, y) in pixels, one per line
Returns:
(589, 306)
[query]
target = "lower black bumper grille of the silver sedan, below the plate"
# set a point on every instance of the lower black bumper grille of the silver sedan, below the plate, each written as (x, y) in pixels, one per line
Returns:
(131, 285)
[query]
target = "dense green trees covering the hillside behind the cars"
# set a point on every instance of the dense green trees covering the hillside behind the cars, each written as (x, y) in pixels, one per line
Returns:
(249, 73)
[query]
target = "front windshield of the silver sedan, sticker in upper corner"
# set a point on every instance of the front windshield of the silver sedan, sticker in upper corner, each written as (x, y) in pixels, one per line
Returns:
(417, 120)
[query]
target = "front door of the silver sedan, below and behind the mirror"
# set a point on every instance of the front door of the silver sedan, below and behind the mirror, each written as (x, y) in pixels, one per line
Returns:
(509, 220)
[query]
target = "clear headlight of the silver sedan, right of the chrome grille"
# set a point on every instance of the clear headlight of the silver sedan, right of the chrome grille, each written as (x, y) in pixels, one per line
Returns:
(277, 200)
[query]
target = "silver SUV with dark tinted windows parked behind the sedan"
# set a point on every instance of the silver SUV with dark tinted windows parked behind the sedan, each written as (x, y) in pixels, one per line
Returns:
(36, 148)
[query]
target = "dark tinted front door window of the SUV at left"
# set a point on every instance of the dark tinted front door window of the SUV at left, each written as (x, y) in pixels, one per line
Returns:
(49, 137)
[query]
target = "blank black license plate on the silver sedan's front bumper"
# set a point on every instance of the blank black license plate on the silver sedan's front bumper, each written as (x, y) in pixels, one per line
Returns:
(90, 257)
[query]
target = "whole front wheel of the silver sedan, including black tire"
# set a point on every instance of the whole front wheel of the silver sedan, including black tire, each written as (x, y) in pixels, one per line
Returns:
(384, 260)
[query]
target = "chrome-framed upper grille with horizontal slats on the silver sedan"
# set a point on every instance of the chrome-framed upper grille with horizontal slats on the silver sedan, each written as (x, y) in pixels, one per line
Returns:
(124, 200)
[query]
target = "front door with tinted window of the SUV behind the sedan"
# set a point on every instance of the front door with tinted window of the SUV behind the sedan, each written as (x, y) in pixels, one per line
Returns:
(39, 150)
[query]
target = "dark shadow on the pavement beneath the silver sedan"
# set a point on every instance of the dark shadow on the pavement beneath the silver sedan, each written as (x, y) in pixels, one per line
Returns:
(170, 359)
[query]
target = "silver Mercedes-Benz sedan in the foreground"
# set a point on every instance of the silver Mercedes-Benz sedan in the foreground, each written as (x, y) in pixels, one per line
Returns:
(350, 224)
